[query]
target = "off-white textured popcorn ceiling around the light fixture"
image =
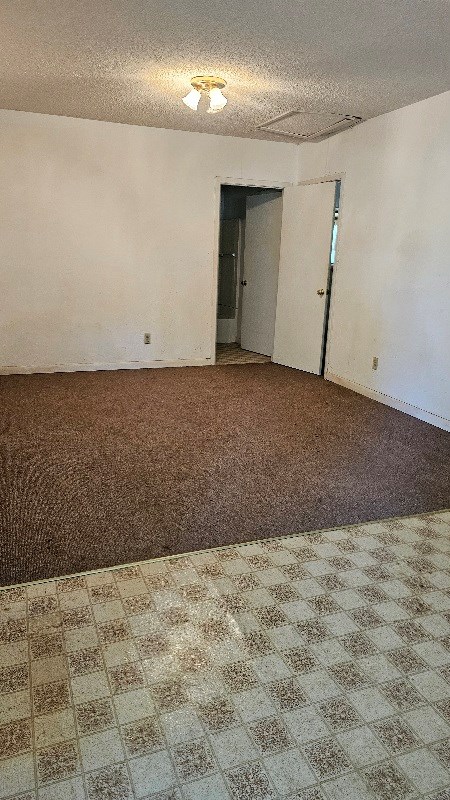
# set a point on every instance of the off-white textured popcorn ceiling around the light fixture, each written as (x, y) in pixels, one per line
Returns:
(131, 60)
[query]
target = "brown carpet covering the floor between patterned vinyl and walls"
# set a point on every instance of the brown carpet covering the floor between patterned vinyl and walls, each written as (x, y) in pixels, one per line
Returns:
(106, 468)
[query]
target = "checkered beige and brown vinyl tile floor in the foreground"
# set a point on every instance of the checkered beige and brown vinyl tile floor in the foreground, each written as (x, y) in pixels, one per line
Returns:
(310, 667)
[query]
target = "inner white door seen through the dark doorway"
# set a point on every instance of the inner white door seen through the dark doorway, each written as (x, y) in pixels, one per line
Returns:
(260, 275)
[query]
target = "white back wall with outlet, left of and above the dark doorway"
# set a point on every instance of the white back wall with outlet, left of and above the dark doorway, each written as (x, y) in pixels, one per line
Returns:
(106, 232)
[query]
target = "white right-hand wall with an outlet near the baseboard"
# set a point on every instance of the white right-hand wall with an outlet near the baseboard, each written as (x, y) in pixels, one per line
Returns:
(391, 294)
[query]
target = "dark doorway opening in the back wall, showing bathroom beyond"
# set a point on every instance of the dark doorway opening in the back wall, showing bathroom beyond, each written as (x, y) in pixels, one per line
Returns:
(249, 252)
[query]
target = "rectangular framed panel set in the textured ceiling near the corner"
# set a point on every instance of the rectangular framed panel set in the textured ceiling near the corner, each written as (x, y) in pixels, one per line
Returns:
(309, 126)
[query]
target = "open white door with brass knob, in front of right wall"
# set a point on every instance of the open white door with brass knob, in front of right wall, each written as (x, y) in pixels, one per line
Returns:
(302, 282)
